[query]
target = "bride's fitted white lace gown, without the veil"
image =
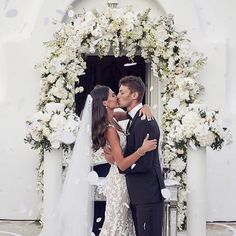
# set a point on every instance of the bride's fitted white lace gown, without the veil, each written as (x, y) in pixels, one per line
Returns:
(118, 217)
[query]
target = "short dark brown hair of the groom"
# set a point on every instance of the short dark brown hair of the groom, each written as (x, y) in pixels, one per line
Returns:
(135, 84)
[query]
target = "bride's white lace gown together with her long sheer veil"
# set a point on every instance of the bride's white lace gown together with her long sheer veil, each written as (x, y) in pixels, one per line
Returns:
(73, 214)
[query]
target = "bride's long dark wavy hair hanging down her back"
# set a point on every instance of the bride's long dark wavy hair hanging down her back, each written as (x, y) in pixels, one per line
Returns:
(99, 116)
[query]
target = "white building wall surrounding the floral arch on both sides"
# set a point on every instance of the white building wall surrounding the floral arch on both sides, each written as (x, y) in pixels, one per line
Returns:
(210, 25)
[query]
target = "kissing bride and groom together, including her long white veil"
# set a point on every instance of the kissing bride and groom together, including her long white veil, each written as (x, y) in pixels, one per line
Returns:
(133, 189)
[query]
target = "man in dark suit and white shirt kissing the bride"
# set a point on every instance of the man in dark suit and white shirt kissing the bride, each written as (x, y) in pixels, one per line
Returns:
(144, 180)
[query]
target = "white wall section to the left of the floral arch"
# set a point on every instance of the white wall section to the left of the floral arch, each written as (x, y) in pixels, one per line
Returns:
(21, 47)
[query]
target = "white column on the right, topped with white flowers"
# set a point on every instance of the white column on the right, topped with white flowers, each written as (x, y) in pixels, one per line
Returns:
(196, 192)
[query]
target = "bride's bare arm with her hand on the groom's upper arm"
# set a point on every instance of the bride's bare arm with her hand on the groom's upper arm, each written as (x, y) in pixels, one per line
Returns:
(124, 163)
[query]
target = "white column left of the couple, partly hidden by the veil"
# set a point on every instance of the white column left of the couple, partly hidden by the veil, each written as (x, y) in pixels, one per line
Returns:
(52, 180)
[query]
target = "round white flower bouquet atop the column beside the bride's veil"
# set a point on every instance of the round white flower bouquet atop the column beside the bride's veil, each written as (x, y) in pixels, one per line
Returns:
(53, 127)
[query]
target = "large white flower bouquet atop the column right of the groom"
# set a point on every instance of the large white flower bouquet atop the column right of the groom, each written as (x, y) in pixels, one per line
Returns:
(199, 127)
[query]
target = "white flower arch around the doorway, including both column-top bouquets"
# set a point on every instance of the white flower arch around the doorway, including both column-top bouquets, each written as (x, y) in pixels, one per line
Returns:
(121, 32)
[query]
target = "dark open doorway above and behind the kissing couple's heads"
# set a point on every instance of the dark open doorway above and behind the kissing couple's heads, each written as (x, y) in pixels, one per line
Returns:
(107, 71)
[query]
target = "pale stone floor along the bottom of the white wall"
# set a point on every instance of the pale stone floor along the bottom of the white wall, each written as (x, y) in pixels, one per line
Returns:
(31, 228)
